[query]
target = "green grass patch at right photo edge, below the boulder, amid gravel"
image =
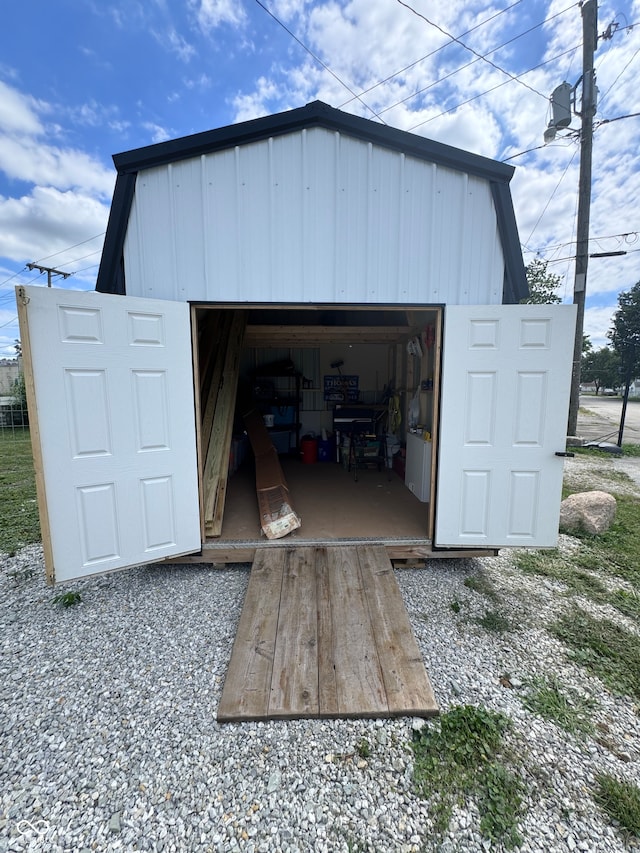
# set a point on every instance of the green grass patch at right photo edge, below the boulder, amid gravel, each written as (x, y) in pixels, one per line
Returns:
(603, 648)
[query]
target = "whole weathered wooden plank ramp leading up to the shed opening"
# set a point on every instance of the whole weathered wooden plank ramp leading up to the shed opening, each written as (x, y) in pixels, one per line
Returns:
(324, 633)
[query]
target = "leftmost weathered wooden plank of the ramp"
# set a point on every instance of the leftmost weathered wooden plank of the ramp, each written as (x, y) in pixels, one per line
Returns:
(246, 691)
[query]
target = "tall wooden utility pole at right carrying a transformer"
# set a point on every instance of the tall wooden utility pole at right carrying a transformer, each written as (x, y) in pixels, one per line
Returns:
(589, 44)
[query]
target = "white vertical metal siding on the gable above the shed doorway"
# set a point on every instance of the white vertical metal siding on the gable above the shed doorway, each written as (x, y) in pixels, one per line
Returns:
(313, 216)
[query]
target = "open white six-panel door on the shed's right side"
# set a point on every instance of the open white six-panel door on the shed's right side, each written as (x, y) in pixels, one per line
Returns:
(506, 376)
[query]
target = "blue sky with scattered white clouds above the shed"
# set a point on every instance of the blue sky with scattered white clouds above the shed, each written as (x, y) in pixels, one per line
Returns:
(81, 80)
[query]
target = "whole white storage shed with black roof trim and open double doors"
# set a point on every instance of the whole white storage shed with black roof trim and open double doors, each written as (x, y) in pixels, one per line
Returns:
(354, 286)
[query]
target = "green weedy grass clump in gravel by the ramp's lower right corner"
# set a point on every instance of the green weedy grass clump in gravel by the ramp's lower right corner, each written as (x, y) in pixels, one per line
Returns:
(462, 756)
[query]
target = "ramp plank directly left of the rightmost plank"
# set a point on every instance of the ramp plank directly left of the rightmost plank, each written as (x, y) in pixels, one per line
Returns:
(359, 683)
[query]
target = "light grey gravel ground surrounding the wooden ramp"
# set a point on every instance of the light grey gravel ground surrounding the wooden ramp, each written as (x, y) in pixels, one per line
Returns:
(109, 738)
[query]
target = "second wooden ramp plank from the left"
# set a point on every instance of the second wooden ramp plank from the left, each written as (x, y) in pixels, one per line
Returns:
(294, 684)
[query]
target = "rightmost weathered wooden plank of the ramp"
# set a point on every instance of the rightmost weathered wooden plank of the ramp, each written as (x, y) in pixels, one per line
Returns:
(406, 684)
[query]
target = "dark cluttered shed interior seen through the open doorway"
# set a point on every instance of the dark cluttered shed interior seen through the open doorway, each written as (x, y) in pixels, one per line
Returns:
(348, 396)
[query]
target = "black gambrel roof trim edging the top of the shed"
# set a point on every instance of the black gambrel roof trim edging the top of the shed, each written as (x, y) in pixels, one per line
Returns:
(314, 115)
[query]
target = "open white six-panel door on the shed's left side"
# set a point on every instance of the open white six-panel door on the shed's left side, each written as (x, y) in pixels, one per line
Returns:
(115, 421)
